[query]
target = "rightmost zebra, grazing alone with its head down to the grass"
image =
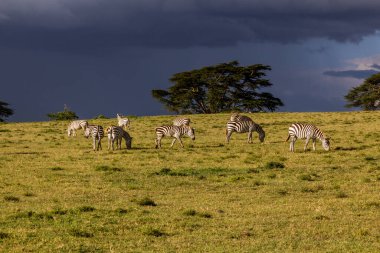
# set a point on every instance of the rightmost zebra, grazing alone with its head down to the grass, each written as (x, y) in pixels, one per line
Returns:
(307, 131)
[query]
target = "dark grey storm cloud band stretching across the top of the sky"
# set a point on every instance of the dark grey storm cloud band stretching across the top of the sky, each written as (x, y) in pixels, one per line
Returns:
(91, 25)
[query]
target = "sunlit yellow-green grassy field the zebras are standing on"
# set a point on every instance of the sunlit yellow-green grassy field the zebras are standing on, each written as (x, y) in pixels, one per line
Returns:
(57, 195)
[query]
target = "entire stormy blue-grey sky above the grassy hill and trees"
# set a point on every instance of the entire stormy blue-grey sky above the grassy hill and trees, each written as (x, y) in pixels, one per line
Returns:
(105, 56)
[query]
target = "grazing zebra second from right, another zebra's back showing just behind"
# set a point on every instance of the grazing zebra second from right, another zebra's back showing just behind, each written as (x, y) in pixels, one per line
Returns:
(244, 127)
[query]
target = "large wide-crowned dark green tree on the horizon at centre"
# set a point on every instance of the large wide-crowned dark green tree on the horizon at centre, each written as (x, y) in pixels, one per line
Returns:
(219, 88)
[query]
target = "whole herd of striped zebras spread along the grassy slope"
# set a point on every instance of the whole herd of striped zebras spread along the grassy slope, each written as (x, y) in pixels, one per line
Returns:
(181, 127)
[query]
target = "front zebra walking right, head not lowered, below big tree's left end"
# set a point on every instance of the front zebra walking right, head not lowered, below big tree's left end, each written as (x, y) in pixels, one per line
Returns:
(173, 131)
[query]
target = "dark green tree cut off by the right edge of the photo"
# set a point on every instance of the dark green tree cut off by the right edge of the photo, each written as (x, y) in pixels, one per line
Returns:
(366, 95)
